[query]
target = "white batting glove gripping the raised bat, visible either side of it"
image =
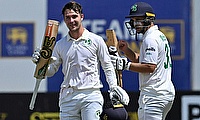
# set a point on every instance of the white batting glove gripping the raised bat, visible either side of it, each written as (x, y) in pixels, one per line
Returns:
(36, 56)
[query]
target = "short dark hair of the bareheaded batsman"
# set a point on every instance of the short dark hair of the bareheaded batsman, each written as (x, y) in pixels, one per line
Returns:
(72, 5)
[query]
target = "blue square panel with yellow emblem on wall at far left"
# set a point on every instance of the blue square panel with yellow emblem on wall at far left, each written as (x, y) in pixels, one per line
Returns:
(17, 39)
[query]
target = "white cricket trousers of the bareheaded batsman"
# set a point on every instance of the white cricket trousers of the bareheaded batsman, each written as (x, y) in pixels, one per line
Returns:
(80, 104)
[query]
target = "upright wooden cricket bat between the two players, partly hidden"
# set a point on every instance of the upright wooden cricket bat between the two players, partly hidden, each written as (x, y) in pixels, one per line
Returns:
(112, 44)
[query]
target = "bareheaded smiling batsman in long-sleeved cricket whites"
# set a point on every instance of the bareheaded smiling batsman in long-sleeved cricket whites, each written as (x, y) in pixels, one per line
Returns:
(81, 53)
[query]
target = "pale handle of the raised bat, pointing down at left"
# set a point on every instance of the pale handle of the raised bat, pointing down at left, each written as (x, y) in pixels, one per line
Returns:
(31, 106)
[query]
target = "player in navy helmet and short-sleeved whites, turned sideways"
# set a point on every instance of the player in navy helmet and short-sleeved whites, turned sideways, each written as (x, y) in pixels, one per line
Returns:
(153, 64)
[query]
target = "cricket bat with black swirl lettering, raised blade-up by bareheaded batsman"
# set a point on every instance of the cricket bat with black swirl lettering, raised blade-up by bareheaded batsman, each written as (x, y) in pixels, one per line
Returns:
(45, 55)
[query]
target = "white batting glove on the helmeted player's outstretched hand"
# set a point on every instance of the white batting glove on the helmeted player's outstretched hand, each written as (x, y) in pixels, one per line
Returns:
(120, 63)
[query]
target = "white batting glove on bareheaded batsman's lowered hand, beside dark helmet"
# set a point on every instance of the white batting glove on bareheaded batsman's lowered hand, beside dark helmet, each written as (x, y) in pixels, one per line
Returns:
(119, 94)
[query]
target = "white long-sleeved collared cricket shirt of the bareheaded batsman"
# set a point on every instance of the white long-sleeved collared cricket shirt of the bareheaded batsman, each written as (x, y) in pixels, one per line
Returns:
(81, 61)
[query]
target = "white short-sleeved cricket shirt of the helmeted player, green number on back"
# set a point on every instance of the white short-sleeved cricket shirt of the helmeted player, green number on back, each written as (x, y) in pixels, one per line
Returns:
(155, 50)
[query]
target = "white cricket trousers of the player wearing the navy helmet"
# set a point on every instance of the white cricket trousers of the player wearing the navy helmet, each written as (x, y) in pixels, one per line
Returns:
(153, 108)
